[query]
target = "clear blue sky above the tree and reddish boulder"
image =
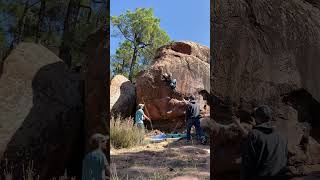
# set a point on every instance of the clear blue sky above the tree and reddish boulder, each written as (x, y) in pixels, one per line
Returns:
(181, 19)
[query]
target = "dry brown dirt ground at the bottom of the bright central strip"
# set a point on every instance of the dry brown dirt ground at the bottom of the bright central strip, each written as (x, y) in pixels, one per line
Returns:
(164, 160)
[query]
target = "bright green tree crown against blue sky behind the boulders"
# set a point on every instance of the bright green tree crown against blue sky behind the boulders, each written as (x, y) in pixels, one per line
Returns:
(142, 31)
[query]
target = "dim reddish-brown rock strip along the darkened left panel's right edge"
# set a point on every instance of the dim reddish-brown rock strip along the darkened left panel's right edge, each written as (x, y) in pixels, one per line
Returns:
(96, 72)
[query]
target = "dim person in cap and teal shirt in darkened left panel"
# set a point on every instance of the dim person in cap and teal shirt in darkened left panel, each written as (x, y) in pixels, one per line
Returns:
(95, 164)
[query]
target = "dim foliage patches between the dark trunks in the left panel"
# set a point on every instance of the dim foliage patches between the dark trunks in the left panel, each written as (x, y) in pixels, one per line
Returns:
(53, 23)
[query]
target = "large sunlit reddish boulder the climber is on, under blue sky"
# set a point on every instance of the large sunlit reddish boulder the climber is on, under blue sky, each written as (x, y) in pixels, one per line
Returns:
(189, 64)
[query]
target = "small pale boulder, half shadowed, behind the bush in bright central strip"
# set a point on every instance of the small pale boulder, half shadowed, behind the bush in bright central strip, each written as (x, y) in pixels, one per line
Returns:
(122, 96)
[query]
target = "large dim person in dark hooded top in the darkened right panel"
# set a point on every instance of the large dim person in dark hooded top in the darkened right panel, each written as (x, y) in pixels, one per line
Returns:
(265, 150)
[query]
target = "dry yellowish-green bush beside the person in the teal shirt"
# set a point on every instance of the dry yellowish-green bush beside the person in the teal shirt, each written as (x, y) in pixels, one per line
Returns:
(124, 134)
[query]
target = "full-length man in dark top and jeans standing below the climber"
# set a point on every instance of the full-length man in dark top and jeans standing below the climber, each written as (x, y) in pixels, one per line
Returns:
(193, 119)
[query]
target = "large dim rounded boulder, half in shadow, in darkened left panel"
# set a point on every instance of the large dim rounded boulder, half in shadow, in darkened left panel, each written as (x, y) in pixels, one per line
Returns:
(40, 112)
